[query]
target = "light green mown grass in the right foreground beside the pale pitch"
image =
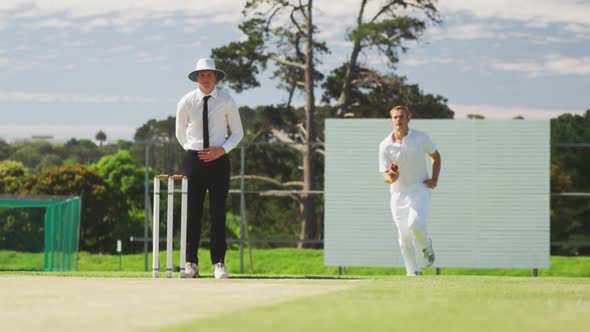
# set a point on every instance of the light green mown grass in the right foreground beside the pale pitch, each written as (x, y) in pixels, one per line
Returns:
(446, 303)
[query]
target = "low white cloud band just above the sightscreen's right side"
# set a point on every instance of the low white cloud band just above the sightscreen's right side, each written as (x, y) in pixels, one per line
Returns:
(501, 112)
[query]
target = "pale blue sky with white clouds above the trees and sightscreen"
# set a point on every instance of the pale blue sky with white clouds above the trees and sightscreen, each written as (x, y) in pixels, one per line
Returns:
(69, 68)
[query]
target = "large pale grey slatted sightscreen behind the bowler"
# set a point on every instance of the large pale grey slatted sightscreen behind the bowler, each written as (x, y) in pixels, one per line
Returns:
(490, 210)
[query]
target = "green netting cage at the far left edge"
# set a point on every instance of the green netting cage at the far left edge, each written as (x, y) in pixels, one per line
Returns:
(61, 227)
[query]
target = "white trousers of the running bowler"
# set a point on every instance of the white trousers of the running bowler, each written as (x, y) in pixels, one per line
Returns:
(409, 210)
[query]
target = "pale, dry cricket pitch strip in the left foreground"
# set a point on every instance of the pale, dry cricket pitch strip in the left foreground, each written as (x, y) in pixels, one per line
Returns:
(40, 303)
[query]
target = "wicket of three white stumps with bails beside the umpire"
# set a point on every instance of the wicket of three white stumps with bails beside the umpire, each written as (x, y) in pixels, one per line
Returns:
(169, 224)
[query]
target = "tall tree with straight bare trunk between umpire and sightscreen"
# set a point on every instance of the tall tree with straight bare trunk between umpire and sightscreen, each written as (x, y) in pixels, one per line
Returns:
(281, 31)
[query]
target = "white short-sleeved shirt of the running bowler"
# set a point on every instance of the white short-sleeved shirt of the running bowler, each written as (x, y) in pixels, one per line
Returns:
(410, 156)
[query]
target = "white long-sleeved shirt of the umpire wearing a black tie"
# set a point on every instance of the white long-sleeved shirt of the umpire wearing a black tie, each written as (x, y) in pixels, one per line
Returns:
(223, 113)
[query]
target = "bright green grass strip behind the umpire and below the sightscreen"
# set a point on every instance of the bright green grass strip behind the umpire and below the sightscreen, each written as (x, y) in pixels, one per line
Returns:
(278, 262)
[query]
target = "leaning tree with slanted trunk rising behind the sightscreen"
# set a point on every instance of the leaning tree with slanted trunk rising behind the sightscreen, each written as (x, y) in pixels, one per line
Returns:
(386, 31)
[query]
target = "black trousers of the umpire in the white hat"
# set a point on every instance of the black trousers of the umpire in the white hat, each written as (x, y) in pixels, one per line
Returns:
(203, 176)
